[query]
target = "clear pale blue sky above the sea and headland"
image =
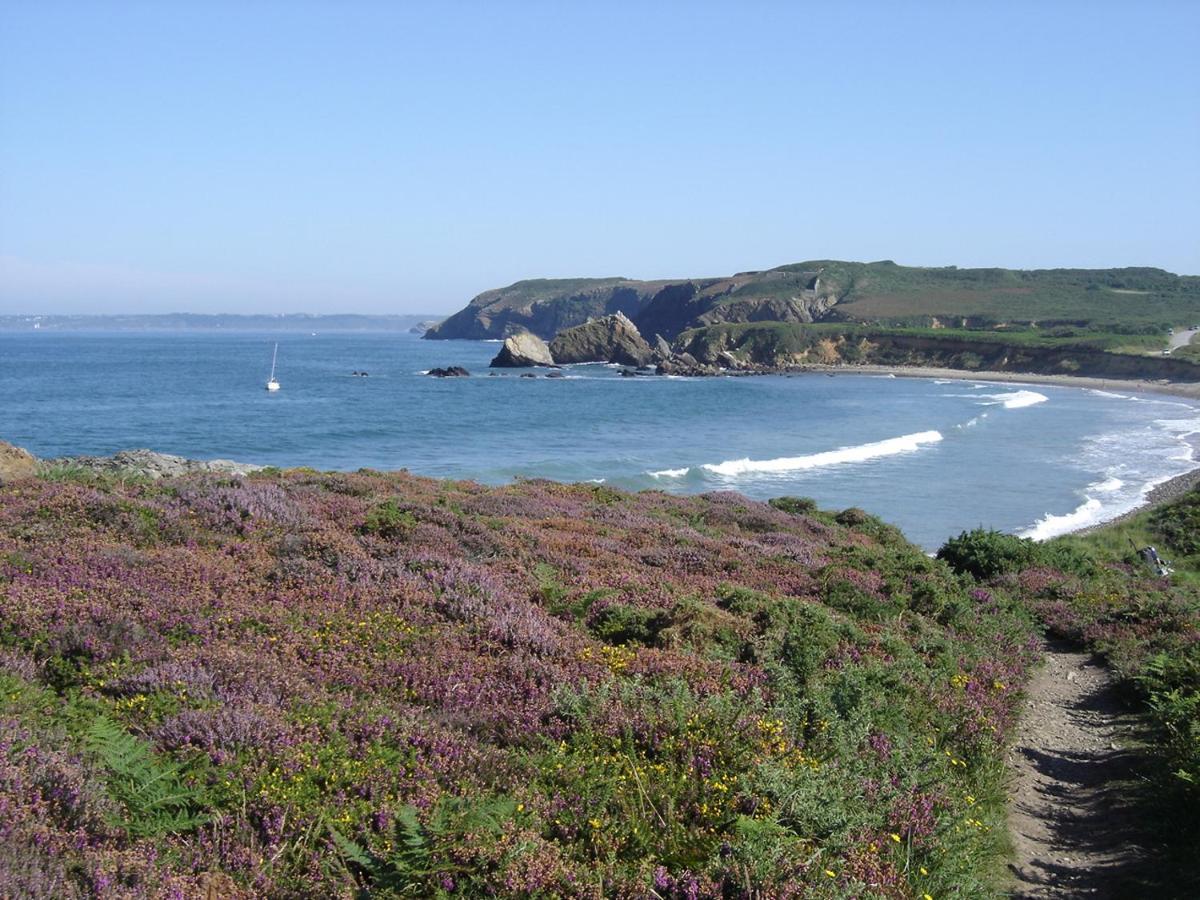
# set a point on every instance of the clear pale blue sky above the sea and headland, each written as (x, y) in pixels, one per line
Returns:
(259, 157)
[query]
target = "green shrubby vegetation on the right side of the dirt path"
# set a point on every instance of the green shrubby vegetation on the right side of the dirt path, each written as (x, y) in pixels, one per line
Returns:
(1100, 591)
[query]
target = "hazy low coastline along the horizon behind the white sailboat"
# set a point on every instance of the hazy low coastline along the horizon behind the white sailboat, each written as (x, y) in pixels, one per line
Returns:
(200, 322)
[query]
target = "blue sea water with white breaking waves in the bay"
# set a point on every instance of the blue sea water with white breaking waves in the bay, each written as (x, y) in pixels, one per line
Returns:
(934, 458)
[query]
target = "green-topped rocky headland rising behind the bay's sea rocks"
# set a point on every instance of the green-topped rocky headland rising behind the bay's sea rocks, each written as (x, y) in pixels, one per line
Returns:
(1132, 301)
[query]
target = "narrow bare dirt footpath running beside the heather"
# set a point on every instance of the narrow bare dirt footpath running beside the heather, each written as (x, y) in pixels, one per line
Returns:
(1073, 831)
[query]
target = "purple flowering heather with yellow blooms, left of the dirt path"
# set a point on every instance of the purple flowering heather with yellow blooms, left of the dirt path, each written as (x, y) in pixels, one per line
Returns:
(361, 682)
